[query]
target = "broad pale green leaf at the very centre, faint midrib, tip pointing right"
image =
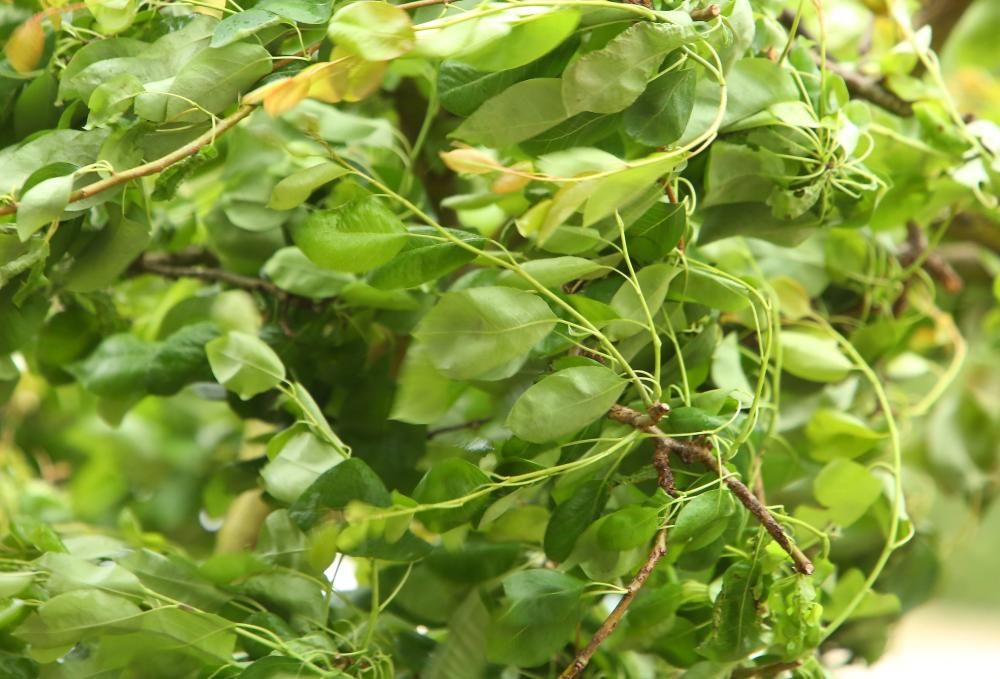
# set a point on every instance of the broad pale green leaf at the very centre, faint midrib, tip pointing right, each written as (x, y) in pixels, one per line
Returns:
(484, 333)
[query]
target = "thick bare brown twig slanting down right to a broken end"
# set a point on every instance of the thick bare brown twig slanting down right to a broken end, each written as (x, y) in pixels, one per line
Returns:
(693, 452)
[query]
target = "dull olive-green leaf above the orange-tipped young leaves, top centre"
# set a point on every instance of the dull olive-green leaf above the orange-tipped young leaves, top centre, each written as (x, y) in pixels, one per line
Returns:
(519, 112)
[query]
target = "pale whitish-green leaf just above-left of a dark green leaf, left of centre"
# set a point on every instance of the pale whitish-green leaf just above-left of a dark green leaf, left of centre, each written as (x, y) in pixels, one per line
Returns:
(298, 458)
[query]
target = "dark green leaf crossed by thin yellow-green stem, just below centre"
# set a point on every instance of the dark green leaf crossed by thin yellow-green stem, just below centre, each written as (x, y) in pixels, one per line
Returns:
(448, 480)
